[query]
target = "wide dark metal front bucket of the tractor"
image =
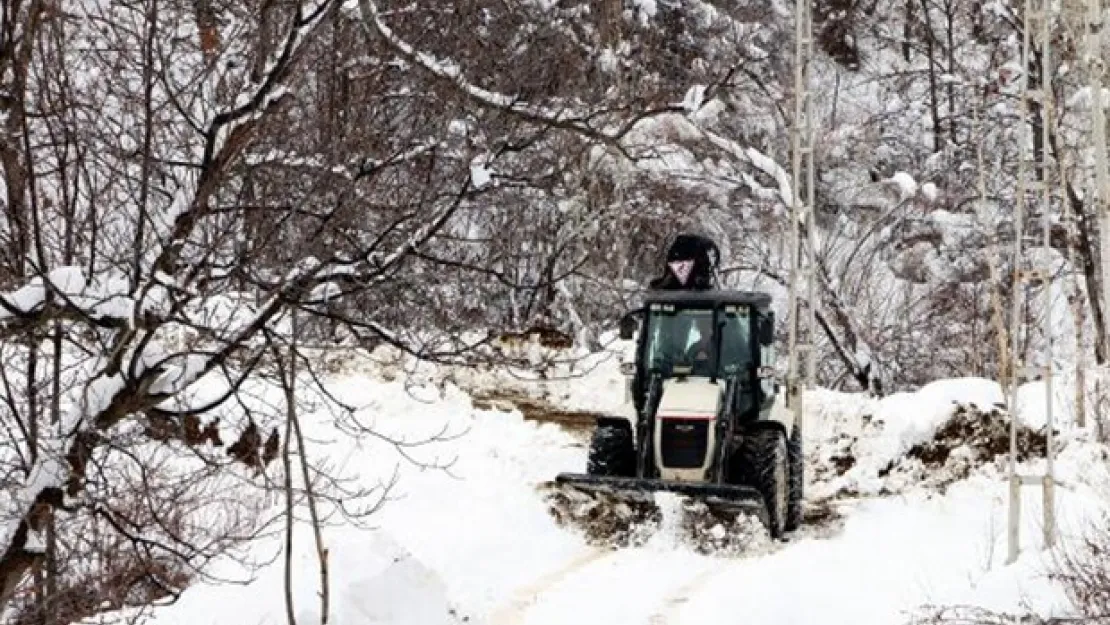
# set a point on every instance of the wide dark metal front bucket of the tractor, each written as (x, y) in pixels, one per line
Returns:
(722, 499)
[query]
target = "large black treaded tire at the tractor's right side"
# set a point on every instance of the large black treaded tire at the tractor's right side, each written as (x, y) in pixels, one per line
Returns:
(764, 465)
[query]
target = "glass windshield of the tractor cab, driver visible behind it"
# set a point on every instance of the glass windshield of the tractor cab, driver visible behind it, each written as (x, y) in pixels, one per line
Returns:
(684, 339)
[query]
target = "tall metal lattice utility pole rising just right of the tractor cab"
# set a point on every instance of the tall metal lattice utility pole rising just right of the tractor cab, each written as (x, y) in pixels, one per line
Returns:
(803, 236)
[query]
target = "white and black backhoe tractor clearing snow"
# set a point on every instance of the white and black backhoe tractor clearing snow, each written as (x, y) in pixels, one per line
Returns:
(705, 417)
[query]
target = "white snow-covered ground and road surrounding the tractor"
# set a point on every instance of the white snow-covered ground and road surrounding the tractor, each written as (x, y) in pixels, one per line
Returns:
(477, 545)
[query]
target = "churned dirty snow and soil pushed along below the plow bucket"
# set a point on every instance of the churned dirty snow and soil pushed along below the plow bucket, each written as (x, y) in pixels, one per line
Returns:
(608, 521)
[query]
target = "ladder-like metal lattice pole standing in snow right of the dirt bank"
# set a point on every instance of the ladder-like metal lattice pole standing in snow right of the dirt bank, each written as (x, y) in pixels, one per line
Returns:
(1035, 97)
